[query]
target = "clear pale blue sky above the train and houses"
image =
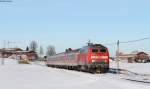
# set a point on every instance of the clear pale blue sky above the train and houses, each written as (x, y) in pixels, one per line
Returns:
(71, 23)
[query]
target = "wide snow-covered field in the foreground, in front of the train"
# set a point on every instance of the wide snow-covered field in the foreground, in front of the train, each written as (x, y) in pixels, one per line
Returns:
(32, 76)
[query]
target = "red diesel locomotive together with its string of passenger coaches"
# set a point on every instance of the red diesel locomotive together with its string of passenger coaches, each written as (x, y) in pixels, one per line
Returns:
(93, 58)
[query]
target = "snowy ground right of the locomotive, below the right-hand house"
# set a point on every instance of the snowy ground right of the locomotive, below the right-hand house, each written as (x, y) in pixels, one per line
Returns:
(134, 71)
